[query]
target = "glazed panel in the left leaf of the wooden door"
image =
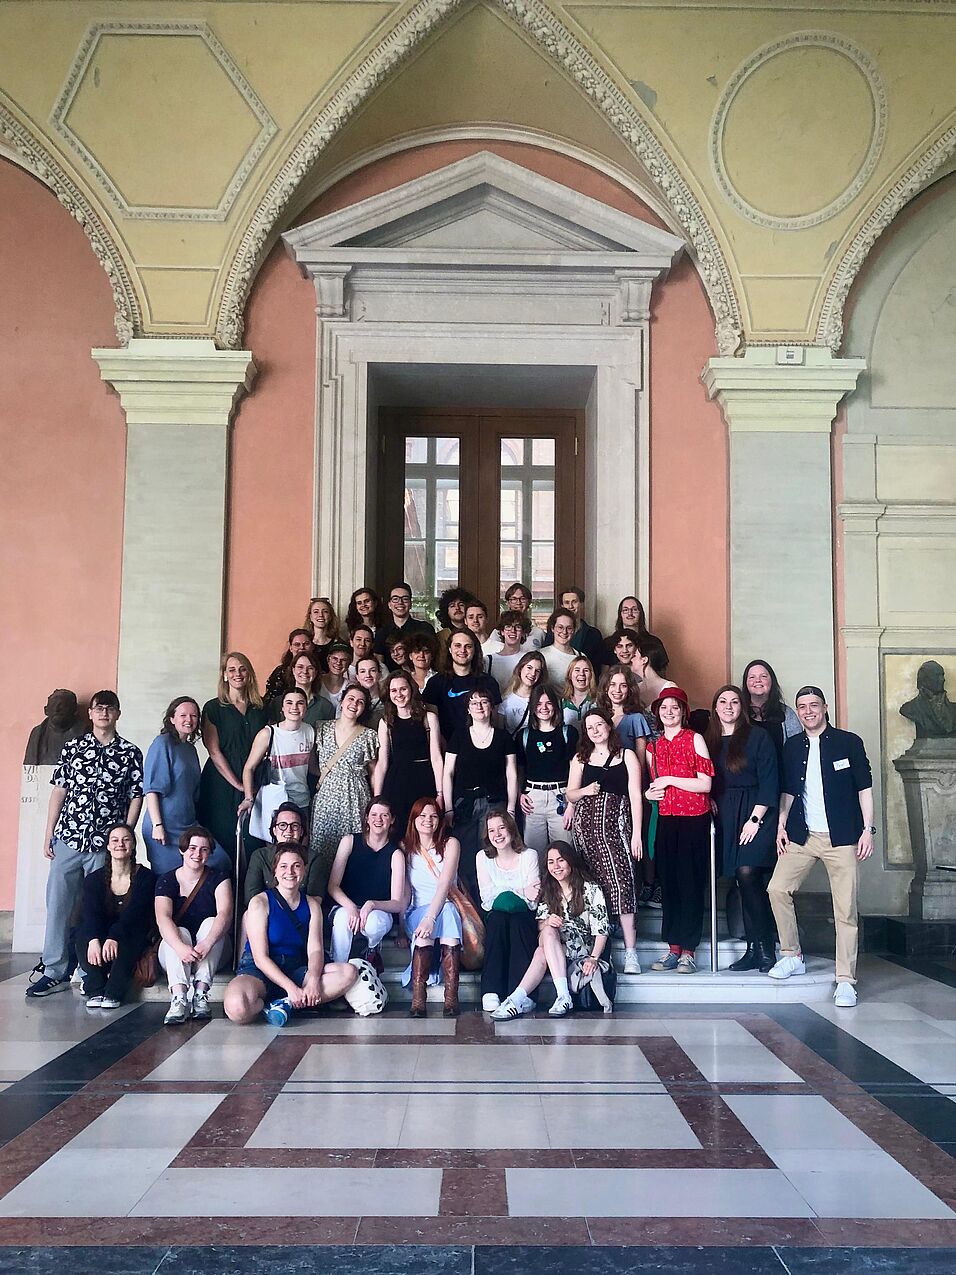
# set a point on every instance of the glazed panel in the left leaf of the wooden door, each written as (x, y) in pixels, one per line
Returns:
(433, 513)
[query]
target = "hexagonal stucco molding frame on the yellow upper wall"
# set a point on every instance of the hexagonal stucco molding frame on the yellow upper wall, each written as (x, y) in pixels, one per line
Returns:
(224, 61)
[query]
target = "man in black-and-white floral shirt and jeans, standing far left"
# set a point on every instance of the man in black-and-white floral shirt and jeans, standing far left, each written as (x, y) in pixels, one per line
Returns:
(98, 783)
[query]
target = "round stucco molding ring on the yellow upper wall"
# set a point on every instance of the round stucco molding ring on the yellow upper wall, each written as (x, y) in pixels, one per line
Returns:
(760, 58)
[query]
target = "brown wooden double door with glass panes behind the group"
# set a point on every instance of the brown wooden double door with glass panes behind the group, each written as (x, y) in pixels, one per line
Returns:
(481, 499)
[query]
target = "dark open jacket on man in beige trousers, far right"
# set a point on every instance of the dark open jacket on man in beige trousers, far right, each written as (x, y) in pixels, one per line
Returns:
(846, 769)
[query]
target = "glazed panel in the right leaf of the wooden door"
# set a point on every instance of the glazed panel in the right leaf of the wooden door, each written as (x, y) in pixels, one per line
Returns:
(527, 520)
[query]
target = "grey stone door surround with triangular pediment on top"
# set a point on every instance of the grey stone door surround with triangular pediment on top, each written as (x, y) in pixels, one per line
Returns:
(481, 265)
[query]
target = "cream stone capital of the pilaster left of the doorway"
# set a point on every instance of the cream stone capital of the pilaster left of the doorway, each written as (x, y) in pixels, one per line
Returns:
(170, 382)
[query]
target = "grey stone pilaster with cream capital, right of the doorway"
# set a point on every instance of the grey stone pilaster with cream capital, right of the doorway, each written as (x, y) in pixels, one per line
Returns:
(779, 418)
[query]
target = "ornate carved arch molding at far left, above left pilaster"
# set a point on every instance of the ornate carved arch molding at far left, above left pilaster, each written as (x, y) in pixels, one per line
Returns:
(34, 156)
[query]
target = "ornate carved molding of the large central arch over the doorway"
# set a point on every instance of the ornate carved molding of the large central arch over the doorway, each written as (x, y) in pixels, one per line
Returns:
(567, 52)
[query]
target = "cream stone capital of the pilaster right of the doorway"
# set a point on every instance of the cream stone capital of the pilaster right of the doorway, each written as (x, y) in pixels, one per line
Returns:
(760, 393)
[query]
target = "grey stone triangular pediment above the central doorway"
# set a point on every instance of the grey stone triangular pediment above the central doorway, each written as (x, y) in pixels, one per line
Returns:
(482, 205)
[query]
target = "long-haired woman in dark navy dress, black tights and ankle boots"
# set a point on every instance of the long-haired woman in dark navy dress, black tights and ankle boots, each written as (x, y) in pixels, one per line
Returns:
(745, 799)
